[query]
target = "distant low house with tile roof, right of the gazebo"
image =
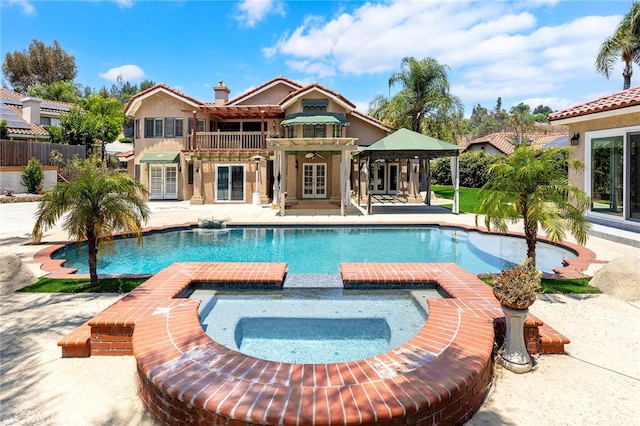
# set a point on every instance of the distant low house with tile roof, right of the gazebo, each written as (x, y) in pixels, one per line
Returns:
(502, 143)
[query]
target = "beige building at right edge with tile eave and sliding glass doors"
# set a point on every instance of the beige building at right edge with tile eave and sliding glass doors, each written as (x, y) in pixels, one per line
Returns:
(606, 138)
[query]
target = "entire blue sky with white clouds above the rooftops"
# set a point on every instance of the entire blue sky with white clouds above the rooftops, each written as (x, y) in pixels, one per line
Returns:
(534, 51)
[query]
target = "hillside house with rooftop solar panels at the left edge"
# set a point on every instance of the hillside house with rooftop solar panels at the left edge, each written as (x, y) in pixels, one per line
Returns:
(26, 116)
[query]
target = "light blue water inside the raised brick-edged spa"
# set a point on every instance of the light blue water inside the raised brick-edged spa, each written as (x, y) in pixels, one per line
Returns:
(313, 325)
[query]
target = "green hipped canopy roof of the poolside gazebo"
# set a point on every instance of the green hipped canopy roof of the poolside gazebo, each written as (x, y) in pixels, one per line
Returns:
(405, 143)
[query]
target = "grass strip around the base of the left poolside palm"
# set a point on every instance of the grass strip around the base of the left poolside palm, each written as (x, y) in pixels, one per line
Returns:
(83, 285)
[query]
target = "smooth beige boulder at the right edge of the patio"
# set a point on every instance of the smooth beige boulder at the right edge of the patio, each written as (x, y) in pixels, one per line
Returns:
(619, 278)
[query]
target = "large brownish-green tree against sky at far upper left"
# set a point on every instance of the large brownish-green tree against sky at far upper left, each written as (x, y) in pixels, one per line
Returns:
(38, 64)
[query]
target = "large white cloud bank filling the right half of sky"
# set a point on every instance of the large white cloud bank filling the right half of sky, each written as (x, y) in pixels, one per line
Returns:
(492, 48)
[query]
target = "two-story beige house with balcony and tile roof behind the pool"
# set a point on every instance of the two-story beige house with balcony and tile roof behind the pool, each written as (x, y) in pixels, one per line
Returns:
(279, 138)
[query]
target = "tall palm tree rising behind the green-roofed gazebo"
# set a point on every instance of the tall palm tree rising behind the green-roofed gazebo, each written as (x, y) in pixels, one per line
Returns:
(424, 90)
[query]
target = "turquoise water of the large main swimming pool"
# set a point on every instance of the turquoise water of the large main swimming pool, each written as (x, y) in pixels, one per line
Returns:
(316, 250)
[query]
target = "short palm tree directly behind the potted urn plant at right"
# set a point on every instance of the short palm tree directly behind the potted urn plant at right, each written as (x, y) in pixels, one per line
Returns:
(532, 185)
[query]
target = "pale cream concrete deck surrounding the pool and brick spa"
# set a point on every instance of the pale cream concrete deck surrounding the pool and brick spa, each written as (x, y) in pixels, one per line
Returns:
(601, 372)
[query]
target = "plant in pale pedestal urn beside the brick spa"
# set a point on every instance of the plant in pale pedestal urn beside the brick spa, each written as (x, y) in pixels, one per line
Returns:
(516, 290)
